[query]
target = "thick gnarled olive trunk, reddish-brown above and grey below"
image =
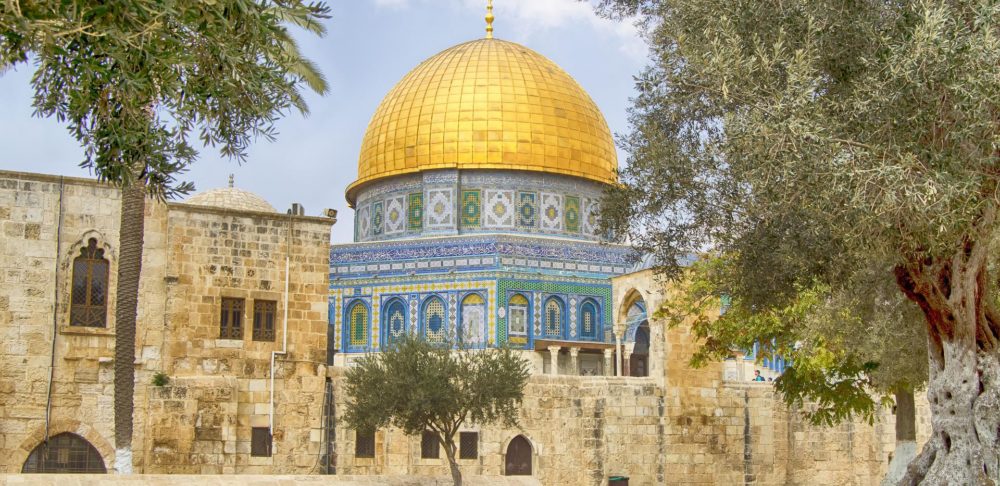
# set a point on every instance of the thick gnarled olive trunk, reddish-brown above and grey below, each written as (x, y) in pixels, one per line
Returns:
(964, 382)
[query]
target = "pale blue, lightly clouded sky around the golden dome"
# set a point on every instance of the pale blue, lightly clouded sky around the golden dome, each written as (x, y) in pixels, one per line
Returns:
(369, 46)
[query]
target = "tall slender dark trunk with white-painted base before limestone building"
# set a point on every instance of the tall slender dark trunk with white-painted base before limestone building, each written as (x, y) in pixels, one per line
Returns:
(130, 235)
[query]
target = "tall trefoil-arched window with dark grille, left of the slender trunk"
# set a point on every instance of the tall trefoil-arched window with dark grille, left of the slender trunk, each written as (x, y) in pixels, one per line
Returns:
(90, 288)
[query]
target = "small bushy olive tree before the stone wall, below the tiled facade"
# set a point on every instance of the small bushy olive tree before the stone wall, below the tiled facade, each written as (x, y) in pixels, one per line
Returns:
(421, 386)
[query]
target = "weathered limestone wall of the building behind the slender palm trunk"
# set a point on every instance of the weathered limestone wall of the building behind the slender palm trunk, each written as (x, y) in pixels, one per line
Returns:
(220, 388)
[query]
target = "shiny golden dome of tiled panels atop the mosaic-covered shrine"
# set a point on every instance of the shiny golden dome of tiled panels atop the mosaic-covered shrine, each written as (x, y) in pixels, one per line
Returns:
(487, 104)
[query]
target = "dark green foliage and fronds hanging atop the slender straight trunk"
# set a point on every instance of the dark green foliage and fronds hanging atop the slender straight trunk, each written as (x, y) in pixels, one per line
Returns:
(135, 80)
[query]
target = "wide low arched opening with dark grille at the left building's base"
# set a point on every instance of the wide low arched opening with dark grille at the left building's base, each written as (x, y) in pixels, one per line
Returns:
(64, 453)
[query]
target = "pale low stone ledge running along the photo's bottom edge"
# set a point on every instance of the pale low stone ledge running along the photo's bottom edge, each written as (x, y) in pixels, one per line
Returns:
(250, 480)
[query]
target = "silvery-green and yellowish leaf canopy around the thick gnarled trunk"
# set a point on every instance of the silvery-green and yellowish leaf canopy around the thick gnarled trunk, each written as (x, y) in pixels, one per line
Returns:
(813, 147)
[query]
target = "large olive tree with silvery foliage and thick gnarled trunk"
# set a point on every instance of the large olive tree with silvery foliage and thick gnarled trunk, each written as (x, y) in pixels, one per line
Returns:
(812, 145)
